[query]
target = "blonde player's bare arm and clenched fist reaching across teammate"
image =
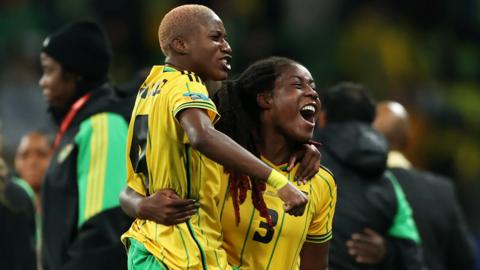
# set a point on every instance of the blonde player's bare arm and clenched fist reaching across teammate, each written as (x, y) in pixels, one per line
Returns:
(220, 148)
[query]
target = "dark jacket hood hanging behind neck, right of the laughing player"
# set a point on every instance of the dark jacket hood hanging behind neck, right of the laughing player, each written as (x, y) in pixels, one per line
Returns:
(356, 145)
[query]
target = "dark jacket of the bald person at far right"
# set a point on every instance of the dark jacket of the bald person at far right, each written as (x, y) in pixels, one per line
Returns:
(446, 241)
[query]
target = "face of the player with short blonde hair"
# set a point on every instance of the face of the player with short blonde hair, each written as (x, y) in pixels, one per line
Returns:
(209, 52)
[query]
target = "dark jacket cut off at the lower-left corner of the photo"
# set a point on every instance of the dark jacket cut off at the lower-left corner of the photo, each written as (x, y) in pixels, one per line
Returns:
(17, 229)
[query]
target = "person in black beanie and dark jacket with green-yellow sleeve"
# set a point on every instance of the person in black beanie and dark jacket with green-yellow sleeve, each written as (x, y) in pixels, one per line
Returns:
(81, 218)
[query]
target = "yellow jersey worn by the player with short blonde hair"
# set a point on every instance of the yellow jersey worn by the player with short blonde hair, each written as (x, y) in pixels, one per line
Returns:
(159, 156)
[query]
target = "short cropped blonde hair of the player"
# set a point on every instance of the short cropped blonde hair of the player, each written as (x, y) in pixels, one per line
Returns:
(180, 21)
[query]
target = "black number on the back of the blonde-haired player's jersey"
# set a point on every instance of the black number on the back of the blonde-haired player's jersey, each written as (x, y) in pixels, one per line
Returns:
(138, 149)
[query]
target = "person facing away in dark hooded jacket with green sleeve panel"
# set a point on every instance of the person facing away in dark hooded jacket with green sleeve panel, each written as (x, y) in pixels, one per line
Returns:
(367, 198)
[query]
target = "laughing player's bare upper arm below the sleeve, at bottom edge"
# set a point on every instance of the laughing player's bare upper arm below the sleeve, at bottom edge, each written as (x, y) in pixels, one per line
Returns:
(314, 256)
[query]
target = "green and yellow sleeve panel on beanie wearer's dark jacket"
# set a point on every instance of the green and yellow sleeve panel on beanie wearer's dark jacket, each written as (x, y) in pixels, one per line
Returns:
(101, 172)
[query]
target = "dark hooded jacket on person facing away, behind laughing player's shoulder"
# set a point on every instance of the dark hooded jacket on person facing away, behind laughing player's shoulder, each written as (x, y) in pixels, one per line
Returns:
(356, 154)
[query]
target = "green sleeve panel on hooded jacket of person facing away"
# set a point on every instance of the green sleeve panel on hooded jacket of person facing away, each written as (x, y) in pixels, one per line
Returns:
(403, 223)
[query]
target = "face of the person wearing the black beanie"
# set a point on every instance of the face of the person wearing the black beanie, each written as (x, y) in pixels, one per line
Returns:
(57, 88)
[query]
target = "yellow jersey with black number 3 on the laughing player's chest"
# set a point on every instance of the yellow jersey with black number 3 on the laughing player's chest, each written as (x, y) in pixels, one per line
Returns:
(252, 245)
